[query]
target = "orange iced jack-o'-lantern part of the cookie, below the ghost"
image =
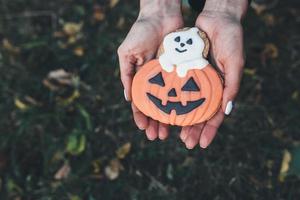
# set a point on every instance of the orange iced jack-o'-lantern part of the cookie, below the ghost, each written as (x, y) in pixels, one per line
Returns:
(170, 99)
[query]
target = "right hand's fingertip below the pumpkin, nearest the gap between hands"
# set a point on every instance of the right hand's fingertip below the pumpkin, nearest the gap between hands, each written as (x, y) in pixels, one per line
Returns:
(193, 136)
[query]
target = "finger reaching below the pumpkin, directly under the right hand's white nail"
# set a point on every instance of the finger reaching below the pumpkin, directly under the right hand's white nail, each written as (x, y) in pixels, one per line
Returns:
(210, 129)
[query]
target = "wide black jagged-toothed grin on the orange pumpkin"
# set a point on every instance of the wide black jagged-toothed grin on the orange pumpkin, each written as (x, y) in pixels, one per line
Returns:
(177, 106)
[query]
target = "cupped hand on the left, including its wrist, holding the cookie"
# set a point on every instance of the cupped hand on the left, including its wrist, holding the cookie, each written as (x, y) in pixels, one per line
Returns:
(140, 46)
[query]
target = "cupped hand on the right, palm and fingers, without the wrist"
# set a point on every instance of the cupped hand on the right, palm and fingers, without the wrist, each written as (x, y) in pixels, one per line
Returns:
(226, 36)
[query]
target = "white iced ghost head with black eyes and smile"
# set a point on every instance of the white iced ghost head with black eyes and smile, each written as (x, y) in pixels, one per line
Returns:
(183, 46)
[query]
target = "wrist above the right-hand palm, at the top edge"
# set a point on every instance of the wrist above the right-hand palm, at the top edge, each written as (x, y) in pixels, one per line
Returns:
(232, 8)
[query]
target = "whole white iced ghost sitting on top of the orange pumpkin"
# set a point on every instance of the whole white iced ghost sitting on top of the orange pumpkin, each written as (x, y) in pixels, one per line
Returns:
(183, 50)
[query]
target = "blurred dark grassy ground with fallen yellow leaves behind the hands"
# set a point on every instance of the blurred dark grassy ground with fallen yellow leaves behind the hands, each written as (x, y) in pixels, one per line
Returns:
(67, 133)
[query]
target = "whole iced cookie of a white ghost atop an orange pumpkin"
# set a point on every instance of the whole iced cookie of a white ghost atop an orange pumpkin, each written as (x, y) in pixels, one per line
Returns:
(180, 87)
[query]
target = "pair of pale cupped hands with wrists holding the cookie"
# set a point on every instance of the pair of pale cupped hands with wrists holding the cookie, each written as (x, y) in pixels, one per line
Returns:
(221, 20)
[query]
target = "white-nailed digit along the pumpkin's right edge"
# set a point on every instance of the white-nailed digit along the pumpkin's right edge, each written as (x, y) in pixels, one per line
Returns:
(232, 75)
